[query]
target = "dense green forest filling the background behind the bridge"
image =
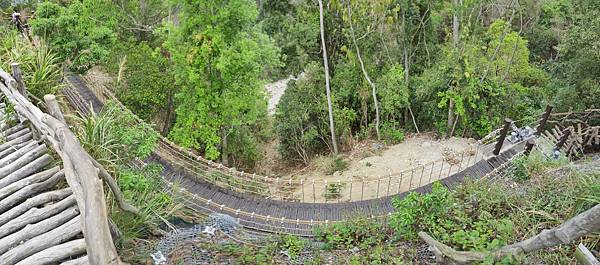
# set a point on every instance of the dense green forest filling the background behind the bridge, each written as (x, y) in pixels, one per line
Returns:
(197, 69)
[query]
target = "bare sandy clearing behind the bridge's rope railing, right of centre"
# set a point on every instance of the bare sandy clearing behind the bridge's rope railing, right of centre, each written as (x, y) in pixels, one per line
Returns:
(374, 173)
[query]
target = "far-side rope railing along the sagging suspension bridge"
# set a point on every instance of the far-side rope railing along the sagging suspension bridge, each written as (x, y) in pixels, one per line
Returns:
(313, 190)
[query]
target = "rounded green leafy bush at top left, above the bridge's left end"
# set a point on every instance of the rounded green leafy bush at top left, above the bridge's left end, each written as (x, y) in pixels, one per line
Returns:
(76, 31)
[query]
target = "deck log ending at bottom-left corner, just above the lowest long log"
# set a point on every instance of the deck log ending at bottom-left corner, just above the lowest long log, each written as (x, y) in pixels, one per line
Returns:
(60, 234)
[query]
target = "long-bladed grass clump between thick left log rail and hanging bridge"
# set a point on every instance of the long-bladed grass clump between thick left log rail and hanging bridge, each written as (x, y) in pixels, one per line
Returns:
(114, 138)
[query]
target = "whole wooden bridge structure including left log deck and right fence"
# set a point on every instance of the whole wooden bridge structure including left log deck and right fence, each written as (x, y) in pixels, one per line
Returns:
(44, 221)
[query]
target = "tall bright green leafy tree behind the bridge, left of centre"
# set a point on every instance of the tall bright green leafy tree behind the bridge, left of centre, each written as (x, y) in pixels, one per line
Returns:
(219, 54)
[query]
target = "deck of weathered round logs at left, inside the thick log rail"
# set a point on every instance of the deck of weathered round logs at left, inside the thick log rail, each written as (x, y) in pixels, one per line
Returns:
(39, 218)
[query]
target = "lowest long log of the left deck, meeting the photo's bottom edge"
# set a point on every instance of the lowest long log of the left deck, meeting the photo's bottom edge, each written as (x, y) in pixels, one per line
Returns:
(56, 253)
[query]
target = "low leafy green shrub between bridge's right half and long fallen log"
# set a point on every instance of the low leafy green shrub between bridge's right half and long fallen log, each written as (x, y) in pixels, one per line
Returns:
(440, 214)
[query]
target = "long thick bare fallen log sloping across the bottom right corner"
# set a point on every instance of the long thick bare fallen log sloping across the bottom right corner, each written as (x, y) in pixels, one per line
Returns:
(576, 227)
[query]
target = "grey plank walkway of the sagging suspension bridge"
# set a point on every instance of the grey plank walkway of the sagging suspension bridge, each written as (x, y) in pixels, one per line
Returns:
(272, 215)
